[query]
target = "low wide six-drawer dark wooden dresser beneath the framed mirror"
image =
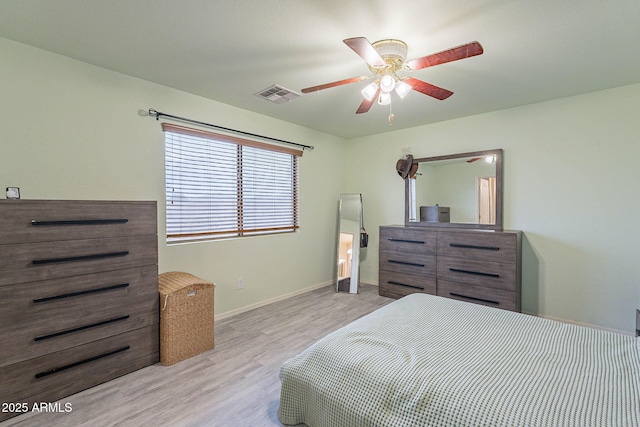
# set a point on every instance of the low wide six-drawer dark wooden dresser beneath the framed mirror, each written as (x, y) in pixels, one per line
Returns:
(483, 267)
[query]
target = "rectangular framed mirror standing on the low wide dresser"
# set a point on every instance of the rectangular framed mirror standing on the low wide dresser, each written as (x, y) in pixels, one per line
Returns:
(459, 190)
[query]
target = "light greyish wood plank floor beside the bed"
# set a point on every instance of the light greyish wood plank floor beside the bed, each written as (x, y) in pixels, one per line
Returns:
(235, 384)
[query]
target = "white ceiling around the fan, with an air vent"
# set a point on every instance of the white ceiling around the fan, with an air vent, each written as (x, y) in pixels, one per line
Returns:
(534, 50)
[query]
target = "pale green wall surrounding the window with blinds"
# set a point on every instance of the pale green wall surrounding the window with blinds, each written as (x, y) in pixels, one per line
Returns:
(69, 130)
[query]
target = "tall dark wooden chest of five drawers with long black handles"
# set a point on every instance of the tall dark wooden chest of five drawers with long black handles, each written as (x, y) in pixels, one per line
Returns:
(78, 296)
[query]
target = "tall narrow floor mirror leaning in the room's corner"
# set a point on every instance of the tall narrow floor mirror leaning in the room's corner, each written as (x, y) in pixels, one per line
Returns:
(348, 253)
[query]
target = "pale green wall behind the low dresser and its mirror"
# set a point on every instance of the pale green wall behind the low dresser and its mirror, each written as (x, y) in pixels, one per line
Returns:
(572, 179)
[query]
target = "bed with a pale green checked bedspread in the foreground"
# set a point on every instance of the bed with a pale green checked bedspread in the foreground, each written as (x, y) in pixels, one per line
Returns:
(425, 360)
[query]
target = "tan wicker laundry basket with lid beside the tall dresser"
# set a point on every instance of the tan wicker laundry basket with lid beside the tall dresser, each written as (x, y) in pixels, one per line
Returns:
(186, 316)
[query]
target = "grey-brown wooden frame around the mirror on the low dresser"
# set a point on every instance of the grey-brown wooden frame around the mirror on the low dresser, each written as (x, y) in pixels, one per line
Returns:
(497, 226)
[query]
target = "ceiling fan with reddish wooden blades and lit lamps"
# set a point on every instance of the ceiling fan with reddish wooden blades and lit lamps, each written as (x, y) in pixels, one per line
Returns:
(388, 57)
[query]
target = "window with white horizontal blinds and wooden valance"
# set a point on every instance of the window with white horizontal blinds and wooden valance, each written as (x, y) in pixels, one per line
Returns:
(220, 186)
